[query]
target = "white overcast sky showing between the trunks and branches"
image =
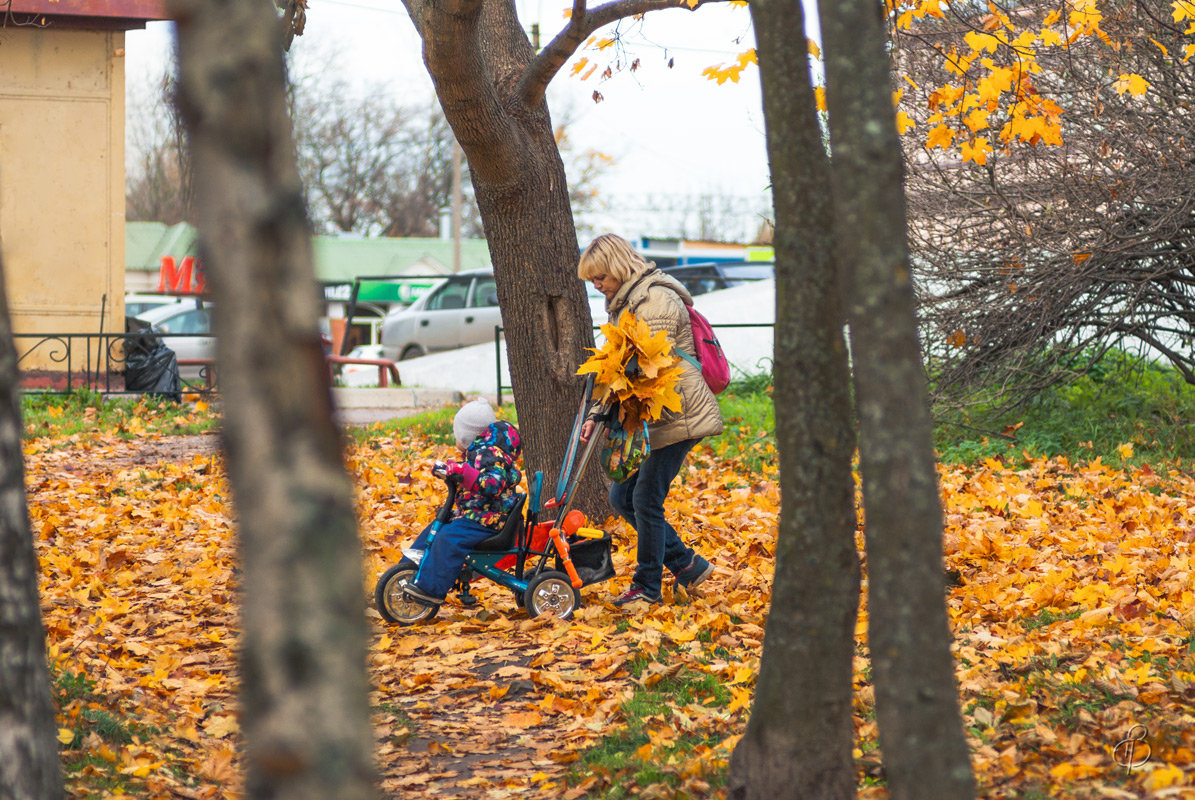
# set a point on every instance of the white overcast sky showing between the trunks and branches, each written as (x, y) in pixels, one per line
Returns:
(670, 131)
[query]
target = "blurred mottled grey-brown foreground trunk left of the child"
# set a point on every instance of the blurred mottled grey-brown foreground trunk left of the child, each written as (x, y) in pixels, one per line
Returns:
(305, 707)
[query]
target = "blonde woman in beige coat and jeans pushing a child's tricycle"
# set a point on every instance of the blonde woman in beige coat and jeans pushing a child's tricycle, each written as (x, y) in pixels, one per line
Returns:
(632, 284)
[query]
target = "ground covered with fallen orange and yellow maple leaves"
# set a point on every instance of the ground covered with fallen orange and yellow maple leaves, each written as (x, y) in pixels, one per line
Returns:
(1073, 604)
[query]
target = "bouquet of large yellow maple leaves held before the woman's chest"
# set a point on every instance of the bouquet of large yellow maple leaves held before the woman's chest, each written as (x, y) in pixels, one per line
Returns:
(638, 370)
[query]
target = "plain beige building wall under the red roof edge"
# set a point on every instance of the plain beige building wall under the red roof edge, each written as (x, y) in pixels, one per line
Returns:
(63, 180)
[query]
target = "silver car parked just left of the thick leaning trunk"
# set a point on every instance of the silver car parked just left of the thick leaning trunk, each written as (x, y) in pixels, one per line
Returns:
(461, 312)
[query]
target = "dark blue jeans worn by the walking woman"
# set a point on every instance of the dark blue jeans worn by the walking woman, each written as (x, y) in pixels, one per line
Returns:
(641, 499)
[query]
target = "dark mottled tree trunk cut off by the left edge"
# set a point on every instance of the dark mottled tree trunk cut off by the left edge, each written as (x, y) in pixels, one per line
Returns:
(29, 749)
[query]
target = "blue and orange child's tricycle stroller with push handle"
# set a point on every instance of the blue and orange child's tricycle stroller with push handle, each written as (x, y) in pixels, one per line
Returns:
(543, 564)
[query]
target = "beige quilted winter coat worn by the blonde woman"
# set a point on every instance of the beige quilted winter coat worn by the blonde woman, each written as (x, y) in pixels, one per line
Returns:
(660, 301)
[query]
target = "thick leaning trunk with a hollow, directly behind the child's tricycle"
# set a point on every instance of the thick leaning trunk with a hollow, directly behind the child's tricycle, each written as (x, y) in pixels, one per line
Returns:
(476, 54)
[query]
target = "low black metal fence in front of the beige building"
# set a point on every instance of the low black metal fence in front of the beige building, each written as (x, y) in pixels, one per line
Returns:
(66, 363)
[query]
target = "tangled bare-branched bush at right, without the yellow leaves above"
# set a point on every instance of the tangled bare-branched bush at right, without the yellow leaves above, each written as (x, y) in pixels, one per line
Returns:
(1050, 255)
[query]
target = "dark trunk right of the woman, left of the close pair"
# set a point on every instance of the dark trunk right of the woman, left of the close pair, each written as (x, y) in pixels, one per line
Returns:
(800, 737)
